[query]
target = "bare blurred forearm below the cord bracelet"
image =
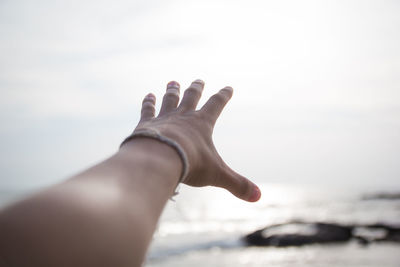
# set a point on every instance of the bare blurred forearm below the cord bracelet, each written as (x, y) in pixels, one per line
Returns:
(104, 216)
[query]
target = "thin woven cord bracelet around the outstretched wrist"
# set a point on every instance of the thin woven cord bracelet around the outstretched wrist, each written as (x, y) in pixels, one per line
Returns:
(156, 135)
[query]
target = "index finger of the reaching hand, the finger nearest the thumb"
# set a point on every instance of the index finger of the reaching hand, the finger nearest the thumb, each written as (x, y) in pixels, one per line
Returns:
(214, 106)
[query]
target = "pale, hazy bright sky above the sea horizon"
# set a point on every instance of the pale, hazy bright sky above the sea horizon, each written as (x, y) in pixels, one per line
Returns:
(316, 84)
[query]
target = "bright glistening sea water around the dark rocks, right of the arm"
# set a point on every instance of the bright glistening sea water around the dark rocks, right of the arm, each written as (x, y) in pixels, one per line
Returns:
(203, 227)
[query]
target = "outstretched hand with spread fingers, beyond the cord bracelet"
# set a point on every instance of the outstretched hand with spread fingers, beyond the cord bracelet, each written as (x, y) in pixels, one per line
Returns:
(192, 130)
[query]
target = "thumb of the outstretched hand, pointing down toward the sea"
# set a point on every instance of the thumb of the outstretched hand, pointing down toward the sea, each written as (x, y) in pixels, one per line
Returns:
(238, 185)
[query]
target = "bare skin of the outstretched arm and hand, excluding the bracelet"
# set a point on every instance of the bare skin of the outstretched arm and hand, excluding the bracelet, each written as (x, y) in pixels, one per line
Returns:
(107, 215)
